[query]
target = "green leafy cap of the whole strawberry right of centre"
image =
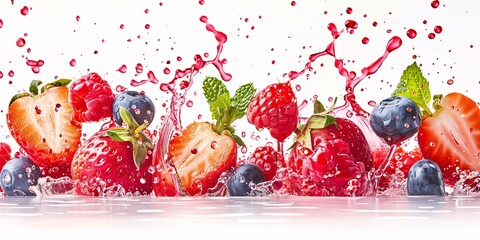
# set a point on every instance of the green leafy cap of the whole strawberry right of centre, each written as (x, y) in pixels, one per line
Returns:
(320, 119)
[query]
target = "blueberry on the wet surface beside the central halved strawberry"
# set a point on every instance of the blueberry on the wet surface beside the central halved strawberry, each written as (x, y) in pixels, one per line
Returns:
(239, 183)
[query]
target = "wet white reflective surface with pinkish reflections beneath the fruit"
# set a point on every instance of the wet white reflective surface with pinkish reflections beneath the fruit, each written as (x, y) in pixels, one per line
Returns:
(240, 218)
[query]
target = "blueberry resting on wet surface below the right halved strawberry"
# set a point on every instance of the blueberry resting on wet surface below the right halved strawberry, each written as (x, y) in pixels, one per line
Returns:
(425, 178)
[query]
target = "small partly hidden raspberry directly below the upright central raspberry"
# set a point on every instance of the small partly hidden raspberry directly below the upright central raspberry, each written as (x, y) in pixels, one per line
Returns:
(268, 160)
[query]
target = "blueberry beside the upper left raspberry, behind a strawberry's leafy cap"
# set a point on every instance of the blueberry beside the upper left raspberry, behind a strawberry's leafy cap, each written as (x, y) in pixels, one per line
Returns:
(139, 105)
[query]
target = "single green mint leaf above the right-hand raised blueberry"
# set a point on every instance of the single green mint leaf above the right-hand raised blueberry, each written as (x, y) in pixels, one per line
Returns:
(414, 86)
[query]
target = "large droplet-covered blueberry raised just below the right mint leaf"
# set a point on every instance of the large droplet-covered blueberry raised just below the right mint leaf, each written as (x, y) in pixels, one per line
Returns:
(395, 119)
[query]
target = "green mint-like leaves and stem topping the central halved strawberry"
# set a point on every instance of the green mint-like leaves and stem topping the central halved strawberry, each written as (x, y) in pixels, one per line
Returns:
(225, 109)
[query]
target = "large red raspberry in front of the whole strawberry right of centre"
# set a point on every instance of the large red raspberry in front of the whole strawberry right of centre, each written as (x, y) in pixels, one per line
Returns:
(334, 171)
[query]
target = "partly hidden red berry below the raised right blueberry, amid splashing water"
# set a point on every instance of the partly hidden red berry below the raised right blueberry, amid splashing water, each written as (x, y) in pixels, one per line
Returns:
(396, 171)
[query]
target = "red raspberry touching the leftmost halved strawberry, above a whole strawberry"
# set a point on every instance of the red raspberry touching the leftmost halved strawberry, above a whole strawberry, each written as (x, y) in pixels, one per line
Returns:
(91, 98)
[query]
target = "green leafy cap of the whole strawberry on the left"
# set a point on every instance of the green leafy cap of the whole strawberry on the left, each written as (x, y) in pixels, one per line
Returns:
(132, 132)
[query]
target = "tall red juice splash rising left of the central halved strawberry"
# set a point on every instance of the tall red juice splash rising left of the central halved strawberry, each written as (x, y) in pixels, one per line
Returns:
(171, 124)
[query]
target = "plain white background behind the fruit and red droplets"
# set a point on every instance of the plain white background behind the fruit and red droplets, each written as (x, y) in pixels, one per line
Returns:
(294, 32)
